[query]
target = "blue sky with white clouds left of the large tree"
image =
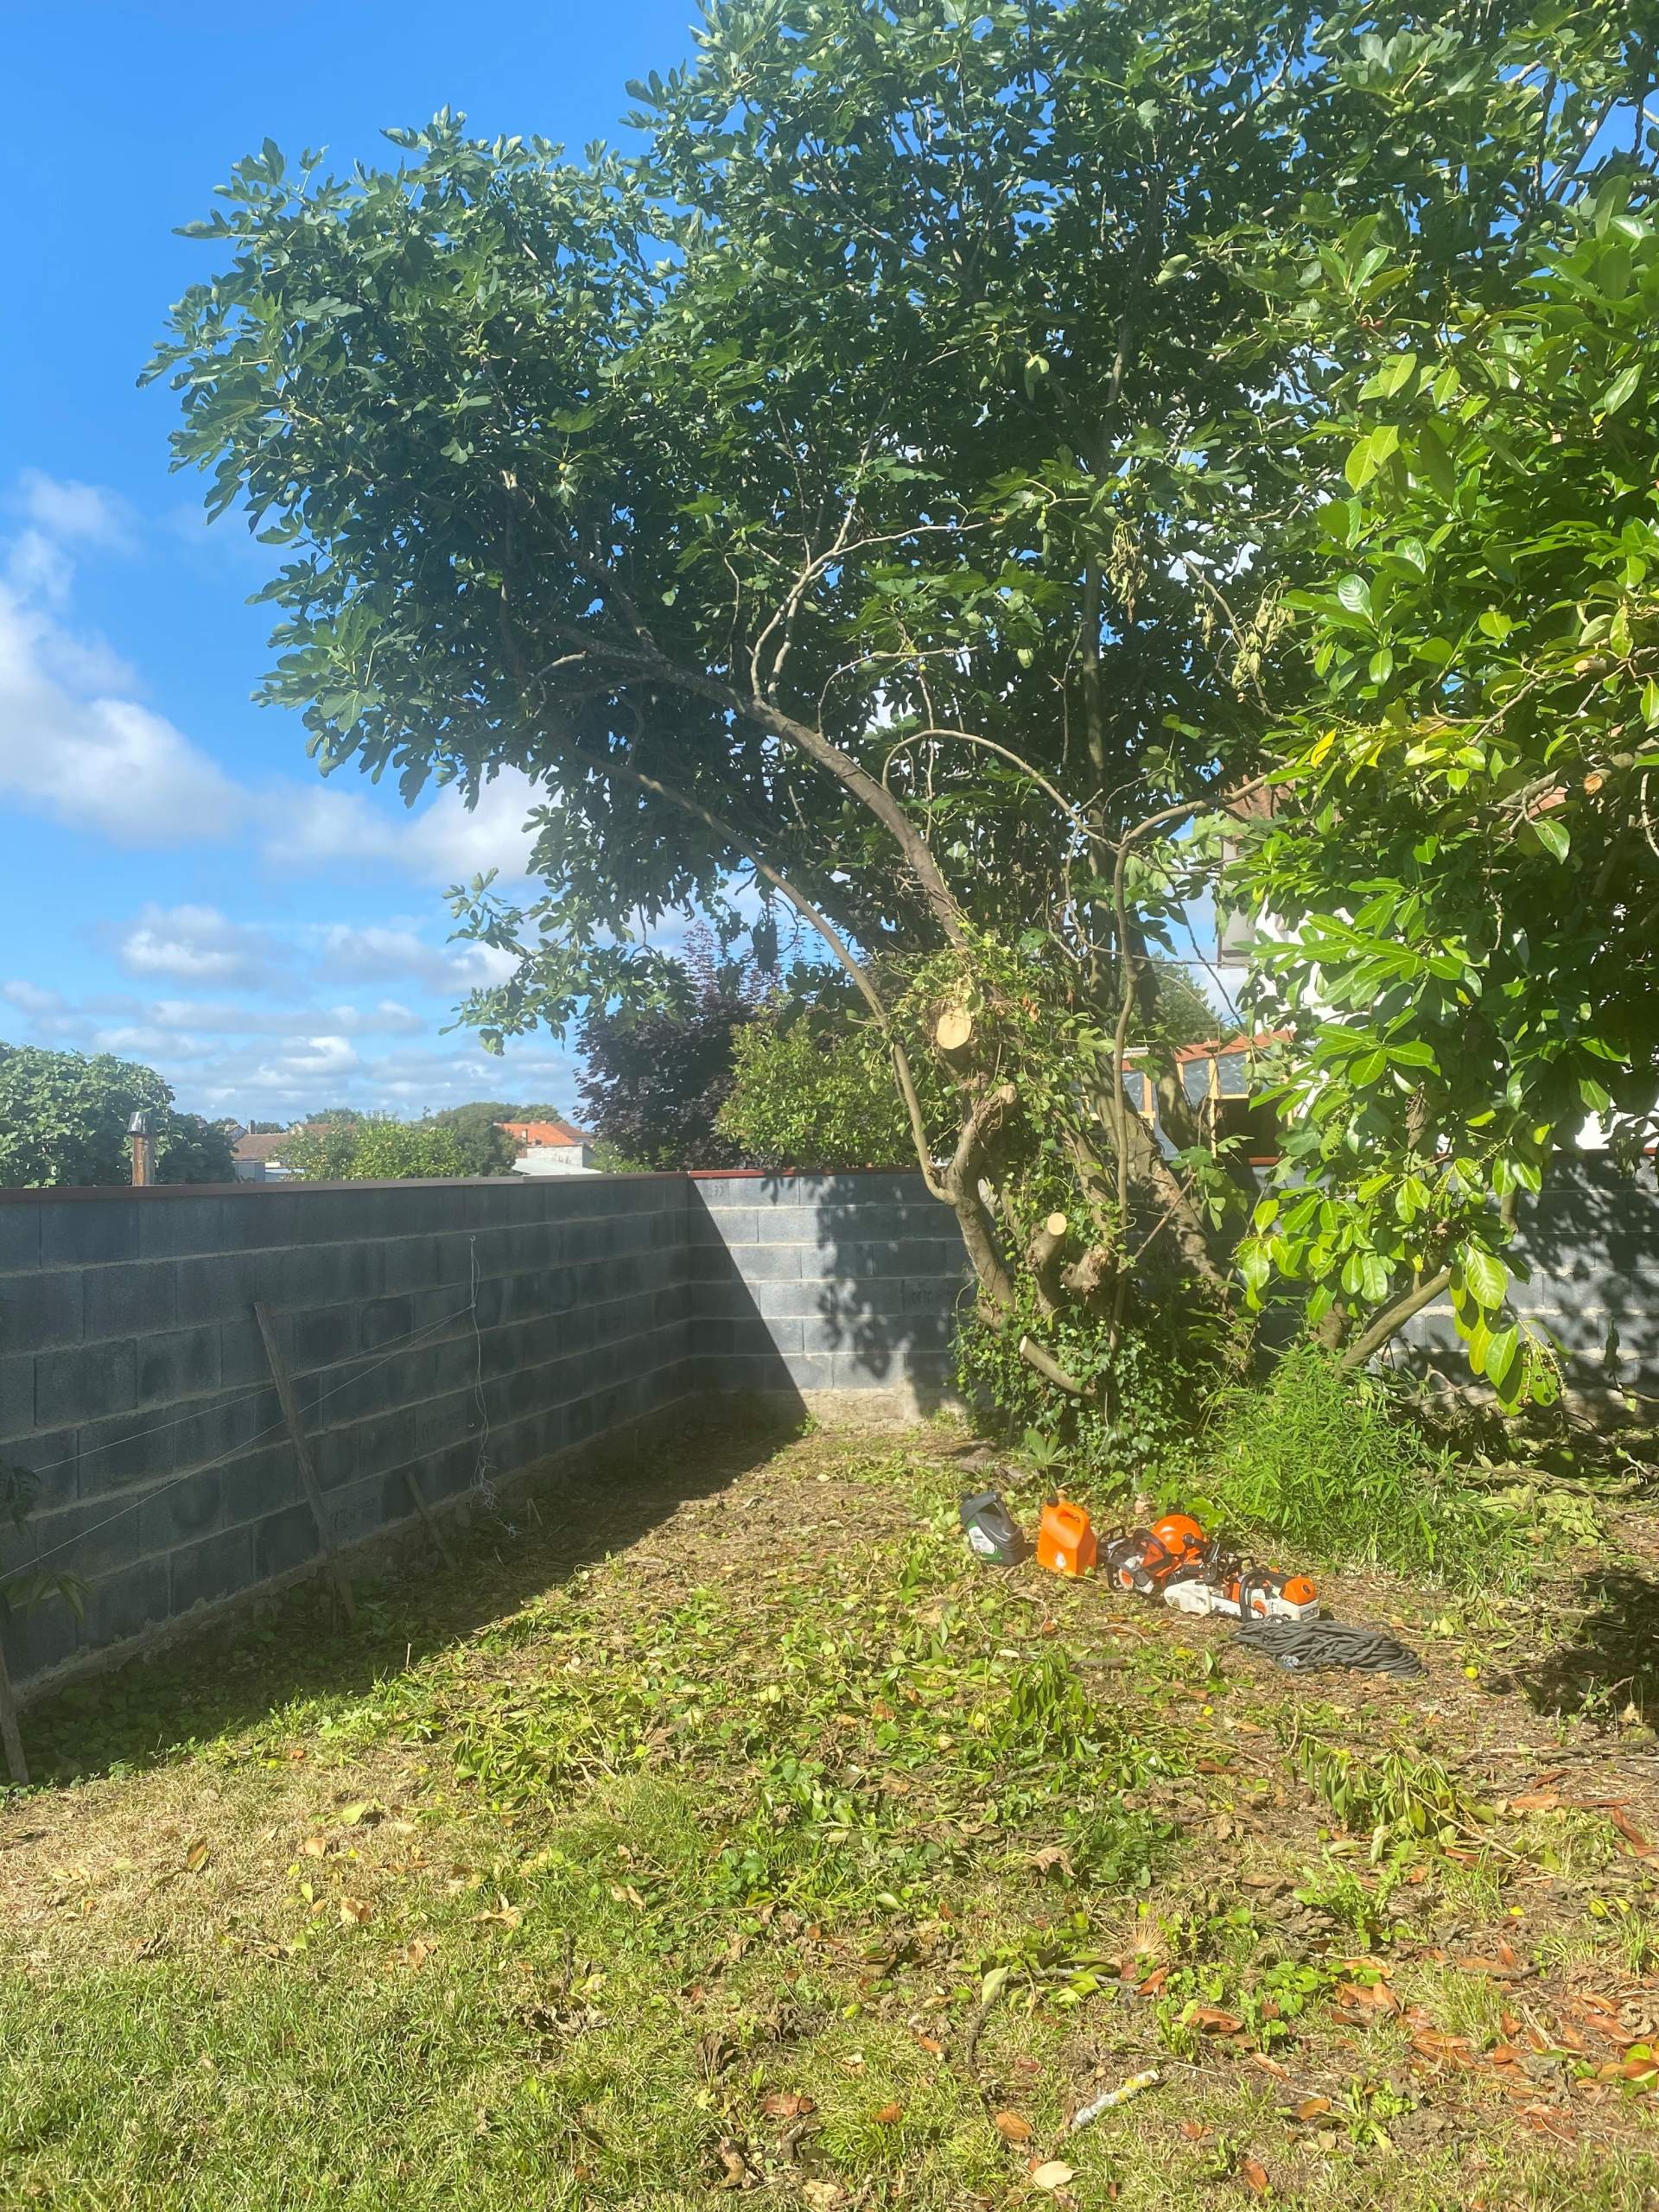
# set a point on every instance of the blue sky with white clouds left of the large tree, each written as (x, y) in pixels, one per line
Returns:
(176, 881)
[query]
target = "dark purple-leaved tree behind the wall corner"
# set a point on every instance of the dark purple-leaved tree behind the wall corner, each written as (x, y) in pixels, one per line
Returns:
(660, 1076)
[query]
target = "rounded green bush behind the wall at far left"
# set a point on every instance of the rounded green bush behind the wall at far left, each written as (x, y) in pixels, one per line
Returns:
(63, 1123)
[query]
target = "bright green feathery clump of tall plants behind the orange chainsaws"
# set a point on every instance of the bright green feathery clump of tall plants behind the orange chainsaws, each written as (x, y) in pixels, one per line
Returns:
(1322, 1463)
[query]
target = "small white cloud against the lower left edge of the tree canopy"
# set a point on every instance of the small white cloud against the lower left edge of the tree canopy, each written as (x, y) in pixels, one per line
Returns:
(441, 842)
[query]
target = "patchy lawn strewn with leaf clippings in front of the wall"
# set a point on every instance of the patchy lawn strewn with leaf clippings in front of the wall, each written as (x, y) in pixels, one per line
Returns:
(724, 1830)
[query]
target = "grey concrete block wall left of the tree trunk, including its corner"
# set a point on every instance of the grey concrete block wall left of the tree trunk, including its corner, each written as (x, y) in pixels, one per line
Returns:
(435, 1331)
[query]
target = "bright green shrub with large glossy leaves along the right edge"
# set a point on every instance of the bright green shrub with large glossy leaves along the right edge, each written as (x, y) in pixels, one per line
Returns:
(1465, 857)
